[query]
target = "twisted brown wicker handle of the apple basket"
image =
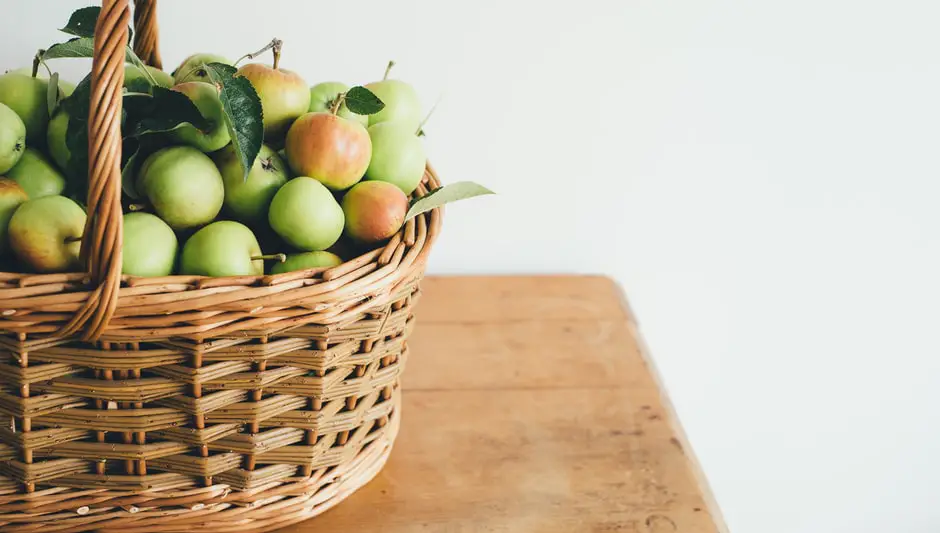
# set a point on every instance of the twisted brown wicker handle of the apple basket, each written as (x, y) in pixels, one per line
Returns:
(103, 236)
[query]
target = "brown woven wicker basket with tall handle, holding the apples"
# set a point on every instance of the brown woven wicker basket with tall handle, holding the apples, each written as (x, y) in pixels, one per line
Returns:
(186, 403)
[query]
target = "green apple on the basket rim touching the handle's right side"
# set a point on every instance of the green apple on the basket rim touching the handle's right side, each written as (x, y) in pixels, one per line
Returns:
(149, 246)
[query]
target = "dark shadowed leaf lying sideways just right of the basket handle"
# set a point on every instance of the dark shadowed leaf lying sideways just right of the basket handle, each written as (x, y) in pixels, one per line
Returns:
(164, 110)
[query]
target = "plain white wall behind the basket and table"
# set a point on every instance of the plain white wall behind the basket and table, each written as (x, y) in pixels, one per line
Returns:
(761, 176)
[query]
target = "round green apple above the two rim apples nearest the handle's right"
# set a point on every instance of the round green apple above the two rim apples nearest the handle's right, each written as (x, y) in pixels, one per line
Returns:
(183, 185)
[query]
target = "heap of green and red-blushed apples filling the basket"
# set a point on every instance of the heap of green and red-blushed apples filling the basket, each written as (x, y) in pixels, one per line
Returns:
(325, 182)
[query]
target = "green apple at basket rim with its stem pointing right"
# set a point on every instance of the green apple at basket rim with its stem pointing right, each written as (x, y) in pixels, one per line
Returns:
(222, 248)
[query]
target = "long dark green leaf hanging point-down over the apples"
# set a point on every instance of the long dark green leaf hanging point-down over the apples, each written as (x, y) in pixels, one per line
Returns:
(242, 112)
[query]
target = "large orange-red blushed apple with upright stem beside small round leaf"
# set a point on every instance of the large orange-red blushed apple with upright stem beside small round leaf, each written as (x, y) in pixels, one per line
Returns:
(330, 149)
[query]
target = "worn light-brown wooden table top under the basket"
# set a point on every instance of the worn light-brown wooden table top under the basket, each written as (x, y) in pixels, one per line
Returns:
(530, 406)
